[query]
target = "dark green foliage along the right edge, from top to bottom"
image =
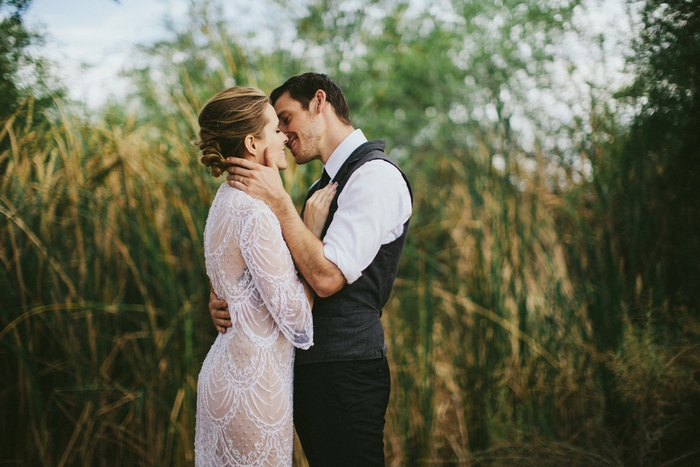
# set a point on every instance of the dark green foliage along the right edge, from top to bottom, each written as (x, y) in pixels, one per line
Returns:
(649, 205)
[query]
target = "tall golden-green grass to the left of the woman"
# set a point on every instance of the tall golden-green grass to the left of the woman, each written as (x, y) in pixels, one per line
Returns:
(103, 289)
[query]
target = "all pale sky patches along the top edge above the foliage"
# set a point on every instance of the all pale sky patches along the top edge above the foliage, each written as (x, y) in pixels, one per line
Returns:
(92, 40)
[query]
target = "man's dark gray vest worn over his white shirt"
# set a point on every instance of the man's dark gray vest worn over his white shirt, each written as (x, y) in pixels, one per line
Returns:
(346, 324)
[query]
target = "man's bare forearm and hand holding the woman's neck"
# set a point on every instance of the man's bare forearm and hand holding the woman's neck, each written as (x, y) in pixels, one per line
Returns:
(263, 182)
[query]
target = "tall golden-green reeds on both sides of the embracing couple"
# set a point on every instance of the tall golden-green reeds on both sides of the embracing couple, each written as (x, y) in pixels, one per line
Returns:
(105, 324)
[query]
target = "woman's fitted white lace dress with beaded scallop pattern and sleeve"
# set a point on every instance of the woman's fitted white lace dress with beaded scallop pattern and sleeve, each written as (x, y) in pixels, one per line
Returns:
(244, 392)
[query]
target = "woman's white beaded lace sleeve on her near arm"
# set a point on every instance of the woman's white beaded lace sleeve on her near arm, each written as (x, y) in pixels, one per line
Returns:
(270, 264)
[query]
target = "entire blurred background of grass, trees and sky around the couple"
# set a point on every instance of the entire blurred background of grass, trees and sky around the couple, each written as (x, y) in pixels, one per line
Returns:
(547, 308)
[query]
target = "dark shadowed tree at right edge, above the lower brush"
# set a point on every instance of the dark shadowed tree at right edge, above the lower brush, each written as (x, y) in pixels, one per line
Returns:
(657, 172)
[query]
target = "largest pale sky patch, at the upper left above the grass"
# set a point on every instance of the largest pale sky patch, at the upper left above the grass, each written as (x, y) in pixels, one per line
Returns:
(92, 40)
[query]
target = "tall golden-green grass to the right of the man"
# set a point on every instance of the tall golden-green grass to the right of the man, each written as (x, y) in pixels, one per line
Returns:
(489, 339)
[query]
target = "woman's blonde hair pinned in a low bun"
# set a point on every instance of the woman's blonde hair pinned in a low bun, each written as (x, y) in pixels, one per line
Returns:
(226, 120)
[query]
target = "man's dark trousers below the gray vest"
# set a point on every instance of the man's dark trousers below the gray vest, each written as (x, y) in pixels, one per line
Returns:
(339, 410)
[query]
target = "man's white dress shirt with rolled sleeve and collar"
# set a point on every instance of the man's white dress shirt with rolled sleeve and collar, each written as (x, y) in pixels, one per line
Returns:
(372, 209)
